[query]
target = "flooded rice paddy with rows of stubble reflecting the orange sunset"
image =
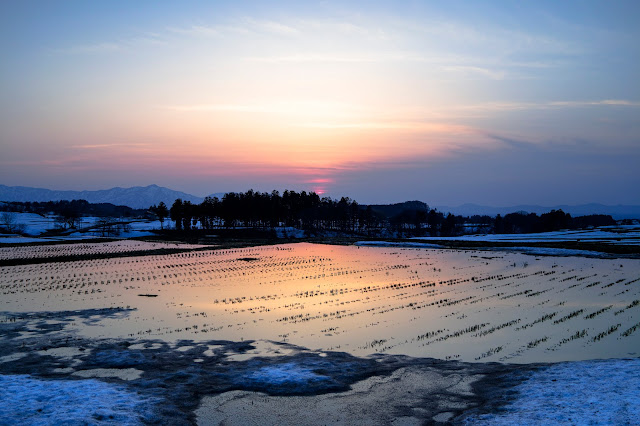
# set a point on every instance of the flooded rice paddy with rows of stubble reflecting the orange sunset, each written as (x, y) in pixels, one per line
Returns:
(447, 304)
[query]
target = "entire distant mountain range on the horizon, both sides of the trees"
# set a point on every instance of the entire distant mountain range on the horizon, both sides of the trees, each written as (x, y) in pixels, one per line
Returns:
(141, 197)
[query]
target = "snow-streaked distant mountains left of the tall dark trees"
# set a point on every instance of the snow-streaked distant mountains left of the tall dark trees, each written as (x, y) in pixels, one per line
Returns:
(138, 197)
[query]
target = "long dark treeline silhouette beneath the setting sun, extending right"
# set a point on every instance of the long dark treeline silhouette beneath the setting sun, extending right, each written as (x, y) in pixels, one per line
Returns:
(310, 212)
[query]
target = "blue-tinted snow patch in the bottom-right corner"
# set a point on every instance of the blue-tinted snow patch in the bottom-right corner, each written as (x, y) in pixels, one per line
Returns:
(585, 392)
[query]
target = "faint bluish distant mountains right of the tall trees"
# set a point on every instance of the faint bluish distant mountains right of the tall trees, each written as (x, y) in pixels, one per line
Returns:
(617, 212)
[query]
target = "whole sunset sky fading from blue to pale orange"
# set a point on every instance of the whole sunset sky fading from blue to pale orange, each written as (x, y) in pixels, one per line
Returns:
(488, 102)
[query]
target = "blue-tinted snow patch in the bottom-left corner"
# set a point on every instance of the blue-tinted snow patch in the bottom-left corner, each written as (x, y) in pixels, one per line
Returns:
(27, 400)
